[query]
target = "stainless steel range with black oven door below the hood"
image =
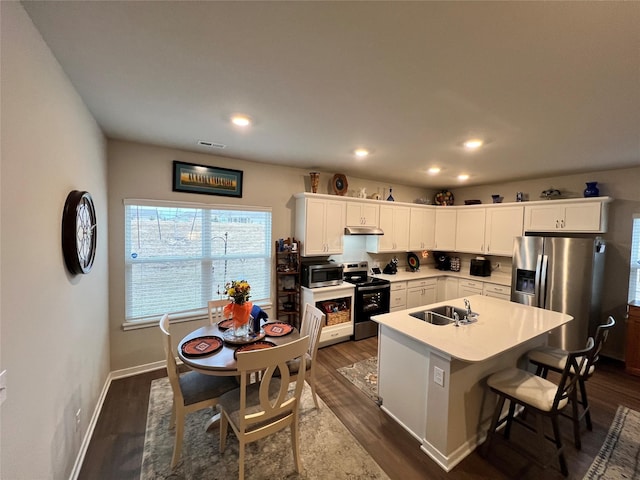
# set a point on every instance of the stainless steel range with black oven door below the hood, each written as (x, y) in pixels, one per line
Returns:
(372, 297)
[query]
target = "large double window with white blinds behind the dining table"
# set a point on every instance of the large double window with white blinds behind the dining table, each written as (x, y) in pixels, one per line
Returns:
(178, 256)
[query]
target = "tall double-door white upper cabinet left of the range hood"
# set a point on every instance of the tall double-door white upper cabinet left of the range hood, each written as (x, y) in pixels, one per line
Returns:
(320, 225)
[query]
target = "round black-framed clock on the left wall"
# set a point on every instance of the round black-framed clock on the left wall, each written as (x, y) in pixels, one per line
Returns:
(79, 232)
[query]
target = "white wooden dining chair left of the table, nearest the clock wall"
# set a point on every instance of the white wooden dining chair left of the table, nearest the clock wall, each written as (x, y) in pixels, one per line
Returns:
(192, 391)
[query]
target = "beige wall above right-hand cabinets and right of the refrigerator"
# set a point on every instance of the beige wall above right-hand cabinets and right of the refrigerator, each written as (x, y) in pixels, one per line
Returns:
(624, 186)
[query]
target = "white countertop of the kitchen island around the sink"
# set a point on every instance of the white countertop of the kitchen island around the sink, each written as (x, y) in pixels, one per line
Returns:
(501, 325)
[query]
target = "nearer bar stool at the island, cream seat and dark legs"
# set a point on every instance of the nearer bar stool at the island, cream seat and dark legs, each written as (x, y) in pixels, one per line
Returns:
(539, 396)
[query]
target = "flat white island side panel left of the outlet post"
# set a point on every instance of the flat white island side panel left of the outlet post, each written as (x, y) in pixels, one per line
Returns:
(403, 373)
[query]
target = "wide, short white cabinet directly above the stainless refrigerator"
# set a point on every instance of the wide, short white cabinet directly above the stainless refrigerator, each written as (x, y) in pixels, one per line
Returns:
(567, 216)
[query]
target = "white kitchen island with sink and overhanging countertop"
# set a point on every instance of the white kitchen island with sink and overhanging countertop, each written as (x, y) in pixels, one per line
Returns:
(431, 378)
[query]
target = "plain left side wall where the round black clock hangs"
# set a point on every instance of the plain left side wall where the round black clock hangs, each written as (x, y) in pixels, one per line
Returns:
(54, 338)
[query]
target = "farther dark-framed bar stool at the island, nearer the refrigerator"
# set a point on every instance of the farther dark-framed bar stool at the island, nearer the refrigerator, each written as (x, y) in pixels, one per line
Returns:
(555, 359)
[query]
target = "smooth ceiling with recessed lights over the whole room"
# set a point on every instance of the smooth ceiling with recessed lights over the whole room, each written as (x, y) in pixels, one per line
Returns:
(551, 87)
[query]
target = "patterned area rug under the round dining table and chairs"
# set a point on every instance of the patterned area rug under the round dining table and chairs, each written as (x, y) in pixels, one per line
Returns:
(327, 448)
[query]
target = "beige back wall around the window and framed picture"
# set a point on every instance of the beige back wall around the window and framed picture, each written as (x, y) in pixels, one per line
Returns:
(144, 171)
